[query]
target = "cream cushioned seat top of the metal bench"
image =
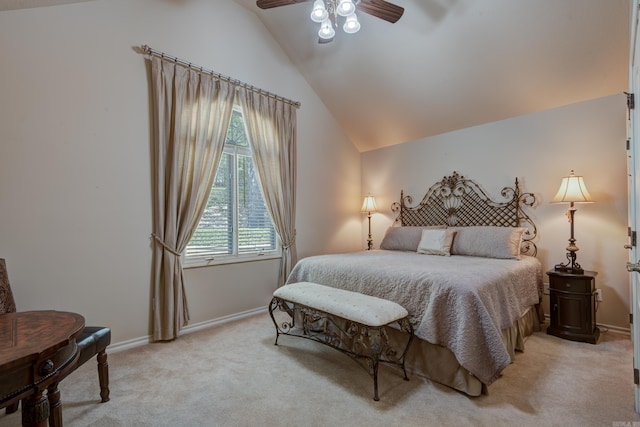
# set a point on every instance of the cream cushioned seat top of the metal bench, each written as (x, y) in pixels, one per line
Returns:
(360, 308)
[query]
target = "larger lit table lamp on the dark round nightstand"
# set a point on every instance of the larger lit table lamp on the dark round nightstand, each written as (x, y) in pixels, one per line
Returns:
(572, 190)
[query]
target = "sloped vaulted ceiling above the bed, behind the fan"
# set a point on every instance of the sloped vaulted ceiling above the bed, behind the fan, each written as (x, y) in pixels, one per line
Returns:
(451, 64)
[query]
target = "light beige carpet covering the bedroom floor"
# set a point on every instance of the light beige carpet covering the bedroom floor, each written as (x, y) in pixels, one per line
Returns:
(234, 376)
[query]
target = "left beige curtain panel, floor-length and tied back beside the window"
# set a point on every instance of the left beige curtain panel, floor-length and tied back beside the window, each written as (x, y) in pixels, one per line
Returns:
(191, 114)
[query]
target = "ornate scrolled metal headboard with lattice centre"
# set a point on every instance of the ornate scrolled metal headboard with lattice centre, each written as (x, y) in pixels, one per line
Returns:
(458, 201)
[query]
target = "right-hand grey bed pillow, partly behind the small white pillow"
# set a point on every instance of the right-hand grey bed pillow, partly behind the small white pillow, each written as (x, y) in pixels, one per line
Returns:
(489, 241)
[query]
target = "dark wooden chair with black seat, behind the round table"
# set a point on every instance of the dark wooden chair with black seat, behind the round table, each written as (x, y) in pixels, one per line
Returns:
(92, 341)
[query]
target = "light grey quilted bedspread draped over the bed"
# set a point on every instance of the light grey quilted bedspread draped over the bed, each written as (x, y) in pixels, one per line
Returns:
(459, 302)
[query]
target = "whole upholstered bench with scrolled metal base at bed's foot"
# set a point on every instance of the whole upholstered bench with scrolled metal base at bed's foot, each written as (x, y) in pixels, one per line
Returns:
(348, 321)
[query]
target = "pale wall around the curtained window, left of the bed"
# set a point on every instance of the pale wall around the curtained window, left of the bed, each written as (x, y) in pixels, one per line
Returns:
(75, 213)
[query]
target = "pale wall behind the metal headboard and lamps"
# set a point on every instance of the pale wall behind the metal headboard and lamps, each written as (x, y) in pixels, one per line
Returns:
(539, 149)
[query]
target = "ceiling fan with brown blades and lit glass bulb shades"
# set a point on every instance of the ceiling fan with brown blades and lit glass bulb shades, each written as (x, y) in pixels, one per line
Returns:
(326, 12)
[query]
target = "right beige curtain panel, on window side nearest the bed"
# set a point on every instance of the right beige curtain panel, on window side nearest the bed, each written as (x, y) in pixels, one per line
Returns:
(271, 127)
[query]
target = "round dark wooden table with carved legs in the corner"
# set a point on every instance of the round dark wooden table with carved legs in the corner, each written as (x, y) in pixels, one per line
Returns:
(36, 348)
